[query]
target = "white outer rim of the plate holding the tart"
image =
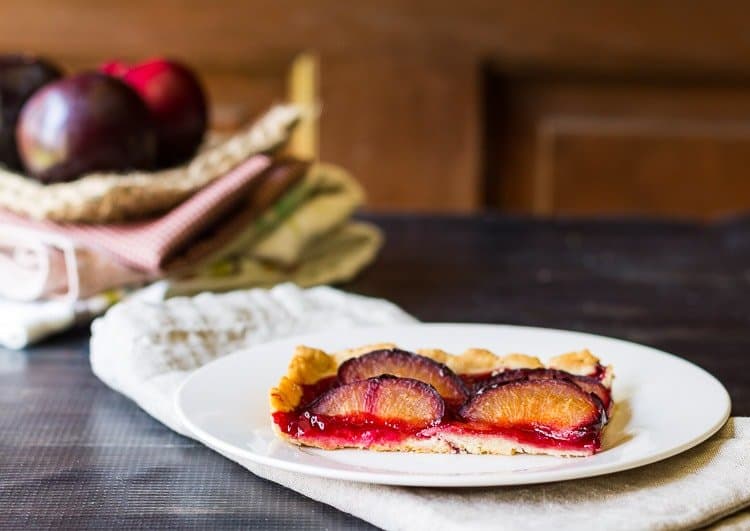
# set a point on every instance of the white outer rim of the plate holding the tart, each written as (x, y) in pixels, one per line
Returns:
(459, 480)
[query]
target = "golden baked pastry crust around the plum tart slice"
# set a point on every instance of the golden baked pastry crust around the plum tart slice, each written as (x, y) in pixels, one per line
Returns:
(310, 365)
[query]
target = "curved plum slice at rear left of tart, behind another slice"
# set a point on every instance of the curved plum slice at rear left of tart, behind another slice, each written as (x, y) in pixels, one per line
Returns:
(405, 365)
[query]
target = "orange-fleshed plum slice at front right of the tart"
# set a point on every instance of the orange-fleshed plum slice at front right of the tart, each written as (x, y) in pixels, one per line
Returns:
(556, 405)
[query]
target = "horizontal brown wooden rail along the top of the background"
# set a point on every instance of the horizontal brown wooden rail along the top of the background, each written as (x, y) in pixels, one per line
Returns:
(657, 36)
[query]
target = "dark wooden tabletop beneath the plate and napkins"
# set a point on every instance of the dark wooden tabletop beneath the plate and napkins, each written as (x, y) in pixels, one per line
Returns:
(75, 454)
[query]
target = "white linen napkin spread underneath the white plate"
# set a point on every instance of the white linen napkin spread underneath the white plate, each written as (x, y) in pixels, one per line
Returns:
(145, 349)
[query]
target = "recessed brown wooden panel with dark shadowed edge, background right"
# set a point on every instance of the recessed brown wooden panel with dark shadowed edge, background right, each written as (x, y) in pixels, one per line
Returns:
(534, 122)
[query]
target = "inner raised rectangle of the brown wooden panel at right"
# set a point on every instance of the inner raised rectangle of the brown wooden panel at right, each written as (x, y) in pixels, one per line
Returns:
(643, 167)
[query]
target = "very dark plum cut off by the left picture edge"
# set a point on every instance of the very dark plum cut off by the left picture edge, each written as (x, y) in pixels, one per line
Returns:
(20, 77)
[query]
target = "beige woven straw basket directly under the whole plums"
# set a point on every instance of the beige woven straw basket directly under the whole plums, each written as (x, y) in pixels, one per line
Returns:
(108, 197)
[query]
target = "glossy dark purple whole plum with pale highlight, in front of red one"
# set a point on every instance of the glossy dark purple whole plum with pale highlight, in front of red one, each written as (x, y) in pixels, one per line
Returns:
(85, 123)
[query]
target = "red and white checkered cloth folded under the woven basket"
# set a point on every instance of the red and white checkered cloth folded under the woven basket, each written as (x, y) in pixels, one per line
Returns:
(147, 245)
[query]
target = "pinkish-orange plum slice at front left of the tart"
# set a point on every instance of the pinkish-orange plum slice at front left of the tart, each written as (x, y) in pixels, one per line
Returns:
(385, 398)
